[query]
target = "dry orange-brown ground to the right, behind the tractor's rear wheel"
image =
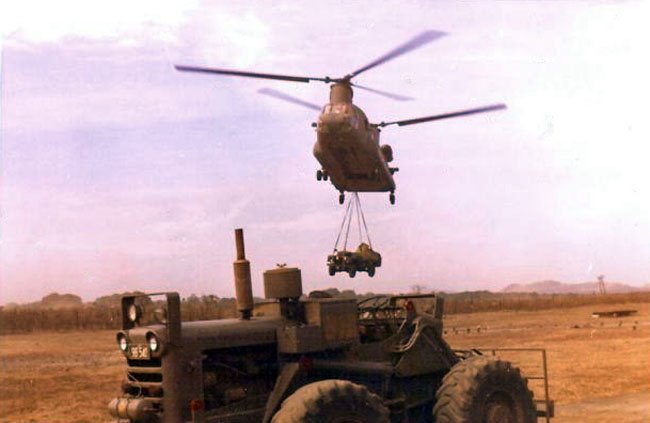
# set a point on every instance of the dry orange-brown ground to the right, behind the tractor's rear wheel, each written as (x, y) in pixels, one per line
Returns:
(598, 369)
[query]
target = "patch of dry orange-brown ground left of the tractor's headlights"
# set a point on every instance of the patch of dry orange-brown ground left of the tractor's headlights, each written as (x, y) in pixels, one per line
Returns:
(59, 377)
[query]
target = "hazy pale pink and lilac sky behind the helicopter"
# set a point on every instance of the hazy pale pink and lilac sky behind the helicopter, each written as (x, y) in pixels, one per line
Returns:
(120, 173)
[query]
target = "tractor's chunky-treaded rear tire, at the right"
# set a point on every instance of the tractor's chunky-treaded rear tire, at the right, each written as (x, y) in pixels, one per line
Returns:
(483, 390)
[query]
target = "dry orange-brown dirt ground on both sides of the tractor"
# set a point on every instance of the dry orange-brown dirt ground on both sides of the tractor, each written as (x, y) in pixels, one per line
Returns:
(598, 368)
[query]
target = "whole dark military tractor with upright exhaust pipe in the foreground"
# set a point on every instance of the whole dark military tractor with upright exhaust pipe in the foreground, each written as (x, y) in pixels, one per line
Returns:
(307, 359)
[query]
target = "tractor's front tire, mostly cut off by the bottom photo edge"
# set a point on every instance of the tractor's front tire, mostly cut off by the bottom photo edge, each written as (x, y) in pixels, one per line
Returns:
(332, 401)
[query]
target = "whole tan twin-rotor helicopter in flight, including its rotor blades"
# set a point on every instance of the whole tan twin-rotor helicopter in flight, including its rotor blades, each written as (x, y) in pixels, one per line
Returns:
(347, 144)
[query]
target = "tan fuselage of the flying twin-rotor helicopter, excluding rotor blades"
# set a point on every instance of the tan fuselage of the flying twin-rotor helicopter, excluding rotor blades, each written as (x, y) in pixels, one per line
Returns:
(347, 147)
